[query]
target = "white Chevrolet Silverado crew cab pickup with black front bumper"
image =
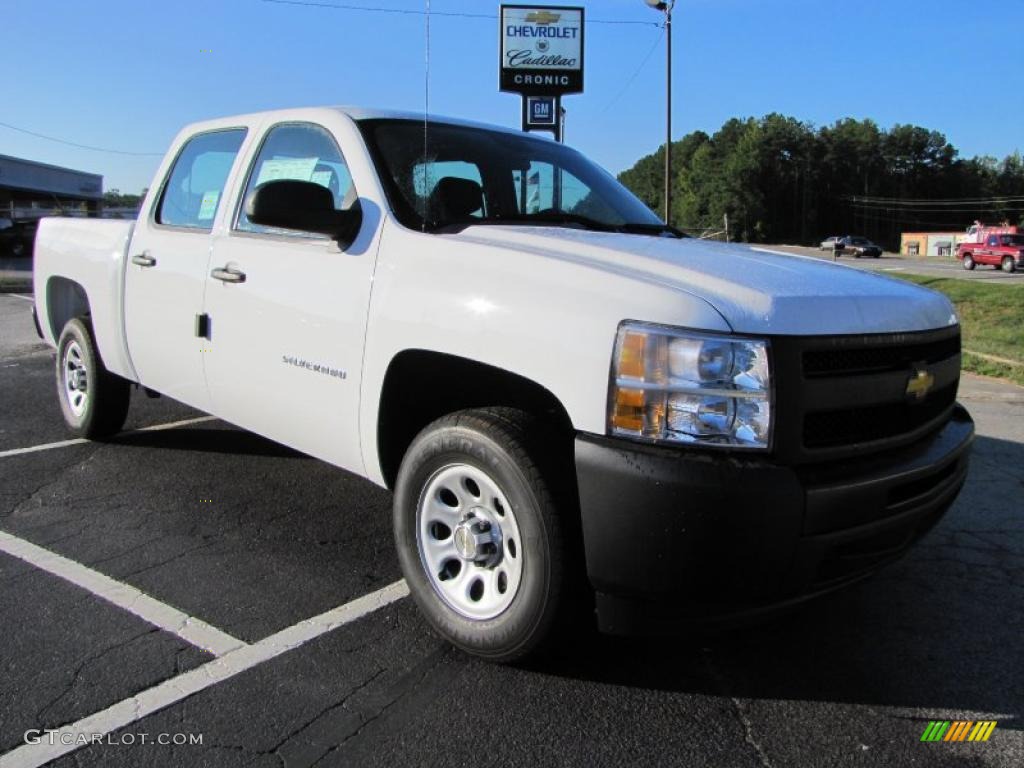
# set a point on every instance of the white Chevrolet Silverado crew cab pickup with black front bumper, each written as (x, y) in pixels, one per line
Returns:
(576, 407)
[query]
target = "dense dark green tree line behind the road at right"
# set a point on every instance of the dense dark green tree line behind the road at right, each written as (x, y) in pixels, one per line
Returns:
(783, 181)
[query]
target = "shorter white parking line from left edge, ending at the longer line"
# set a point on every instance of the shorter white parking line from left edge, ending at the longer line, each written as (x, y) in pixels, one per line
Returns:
(125, 596)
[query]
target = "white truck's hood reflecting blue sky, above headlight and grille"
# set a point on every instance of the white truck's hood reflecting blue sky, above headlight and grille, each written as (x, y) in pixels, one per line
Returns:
(755, 290)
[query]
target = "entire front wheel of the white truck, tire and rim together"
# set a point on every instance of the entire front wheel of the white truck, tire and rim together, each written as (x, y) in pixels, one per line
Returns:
(478, 532)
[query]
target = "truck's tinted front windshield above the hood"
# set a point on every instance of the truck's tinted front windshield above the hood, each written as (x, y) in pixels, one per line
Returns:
(474, 176)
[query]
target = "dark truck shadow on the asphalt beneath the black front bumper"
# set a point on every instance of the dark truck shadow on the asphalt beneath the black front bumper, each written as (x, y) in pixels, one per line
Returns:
(942, 629)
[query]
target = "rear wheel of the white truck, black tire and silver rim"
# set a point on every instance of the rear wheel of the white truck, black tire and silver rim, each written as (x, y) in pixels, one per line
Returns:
(104, 406)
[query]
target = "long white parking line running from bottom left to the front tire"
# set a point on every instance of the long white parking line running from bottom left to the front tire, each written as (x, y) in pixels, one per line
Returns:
(73, 737)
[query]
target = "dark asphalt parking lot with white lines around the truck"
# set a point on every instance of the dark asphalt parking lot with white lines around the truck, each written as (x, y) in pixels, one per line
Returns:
(237, 543)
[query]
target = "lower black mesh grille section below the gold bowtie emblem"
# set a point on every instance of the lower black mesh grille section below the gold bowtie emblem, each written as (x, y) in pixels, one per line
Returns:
(856, 425)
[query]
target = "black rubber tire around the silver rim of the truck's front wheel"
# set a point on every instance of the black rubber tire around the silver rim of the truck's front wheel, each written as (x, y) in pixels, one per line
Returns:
(511, 448)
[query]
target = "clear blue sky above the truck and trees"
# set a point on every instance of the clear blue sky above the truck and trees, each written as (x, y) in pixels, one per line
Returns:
(129, 74)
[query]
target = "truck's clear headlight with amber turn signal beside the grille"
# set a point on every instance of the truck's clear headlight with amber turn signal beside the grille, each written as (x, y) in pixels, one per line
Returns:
(681, 387)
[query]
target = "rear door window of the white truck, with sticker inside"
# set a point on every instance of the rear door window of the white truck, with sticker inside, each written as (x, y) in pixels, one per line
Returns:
(196, 185)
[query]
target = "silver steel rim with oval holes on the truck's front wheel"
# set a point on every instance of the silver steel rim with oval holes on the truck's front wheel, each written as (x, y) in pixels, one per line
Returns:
(470, 542)
